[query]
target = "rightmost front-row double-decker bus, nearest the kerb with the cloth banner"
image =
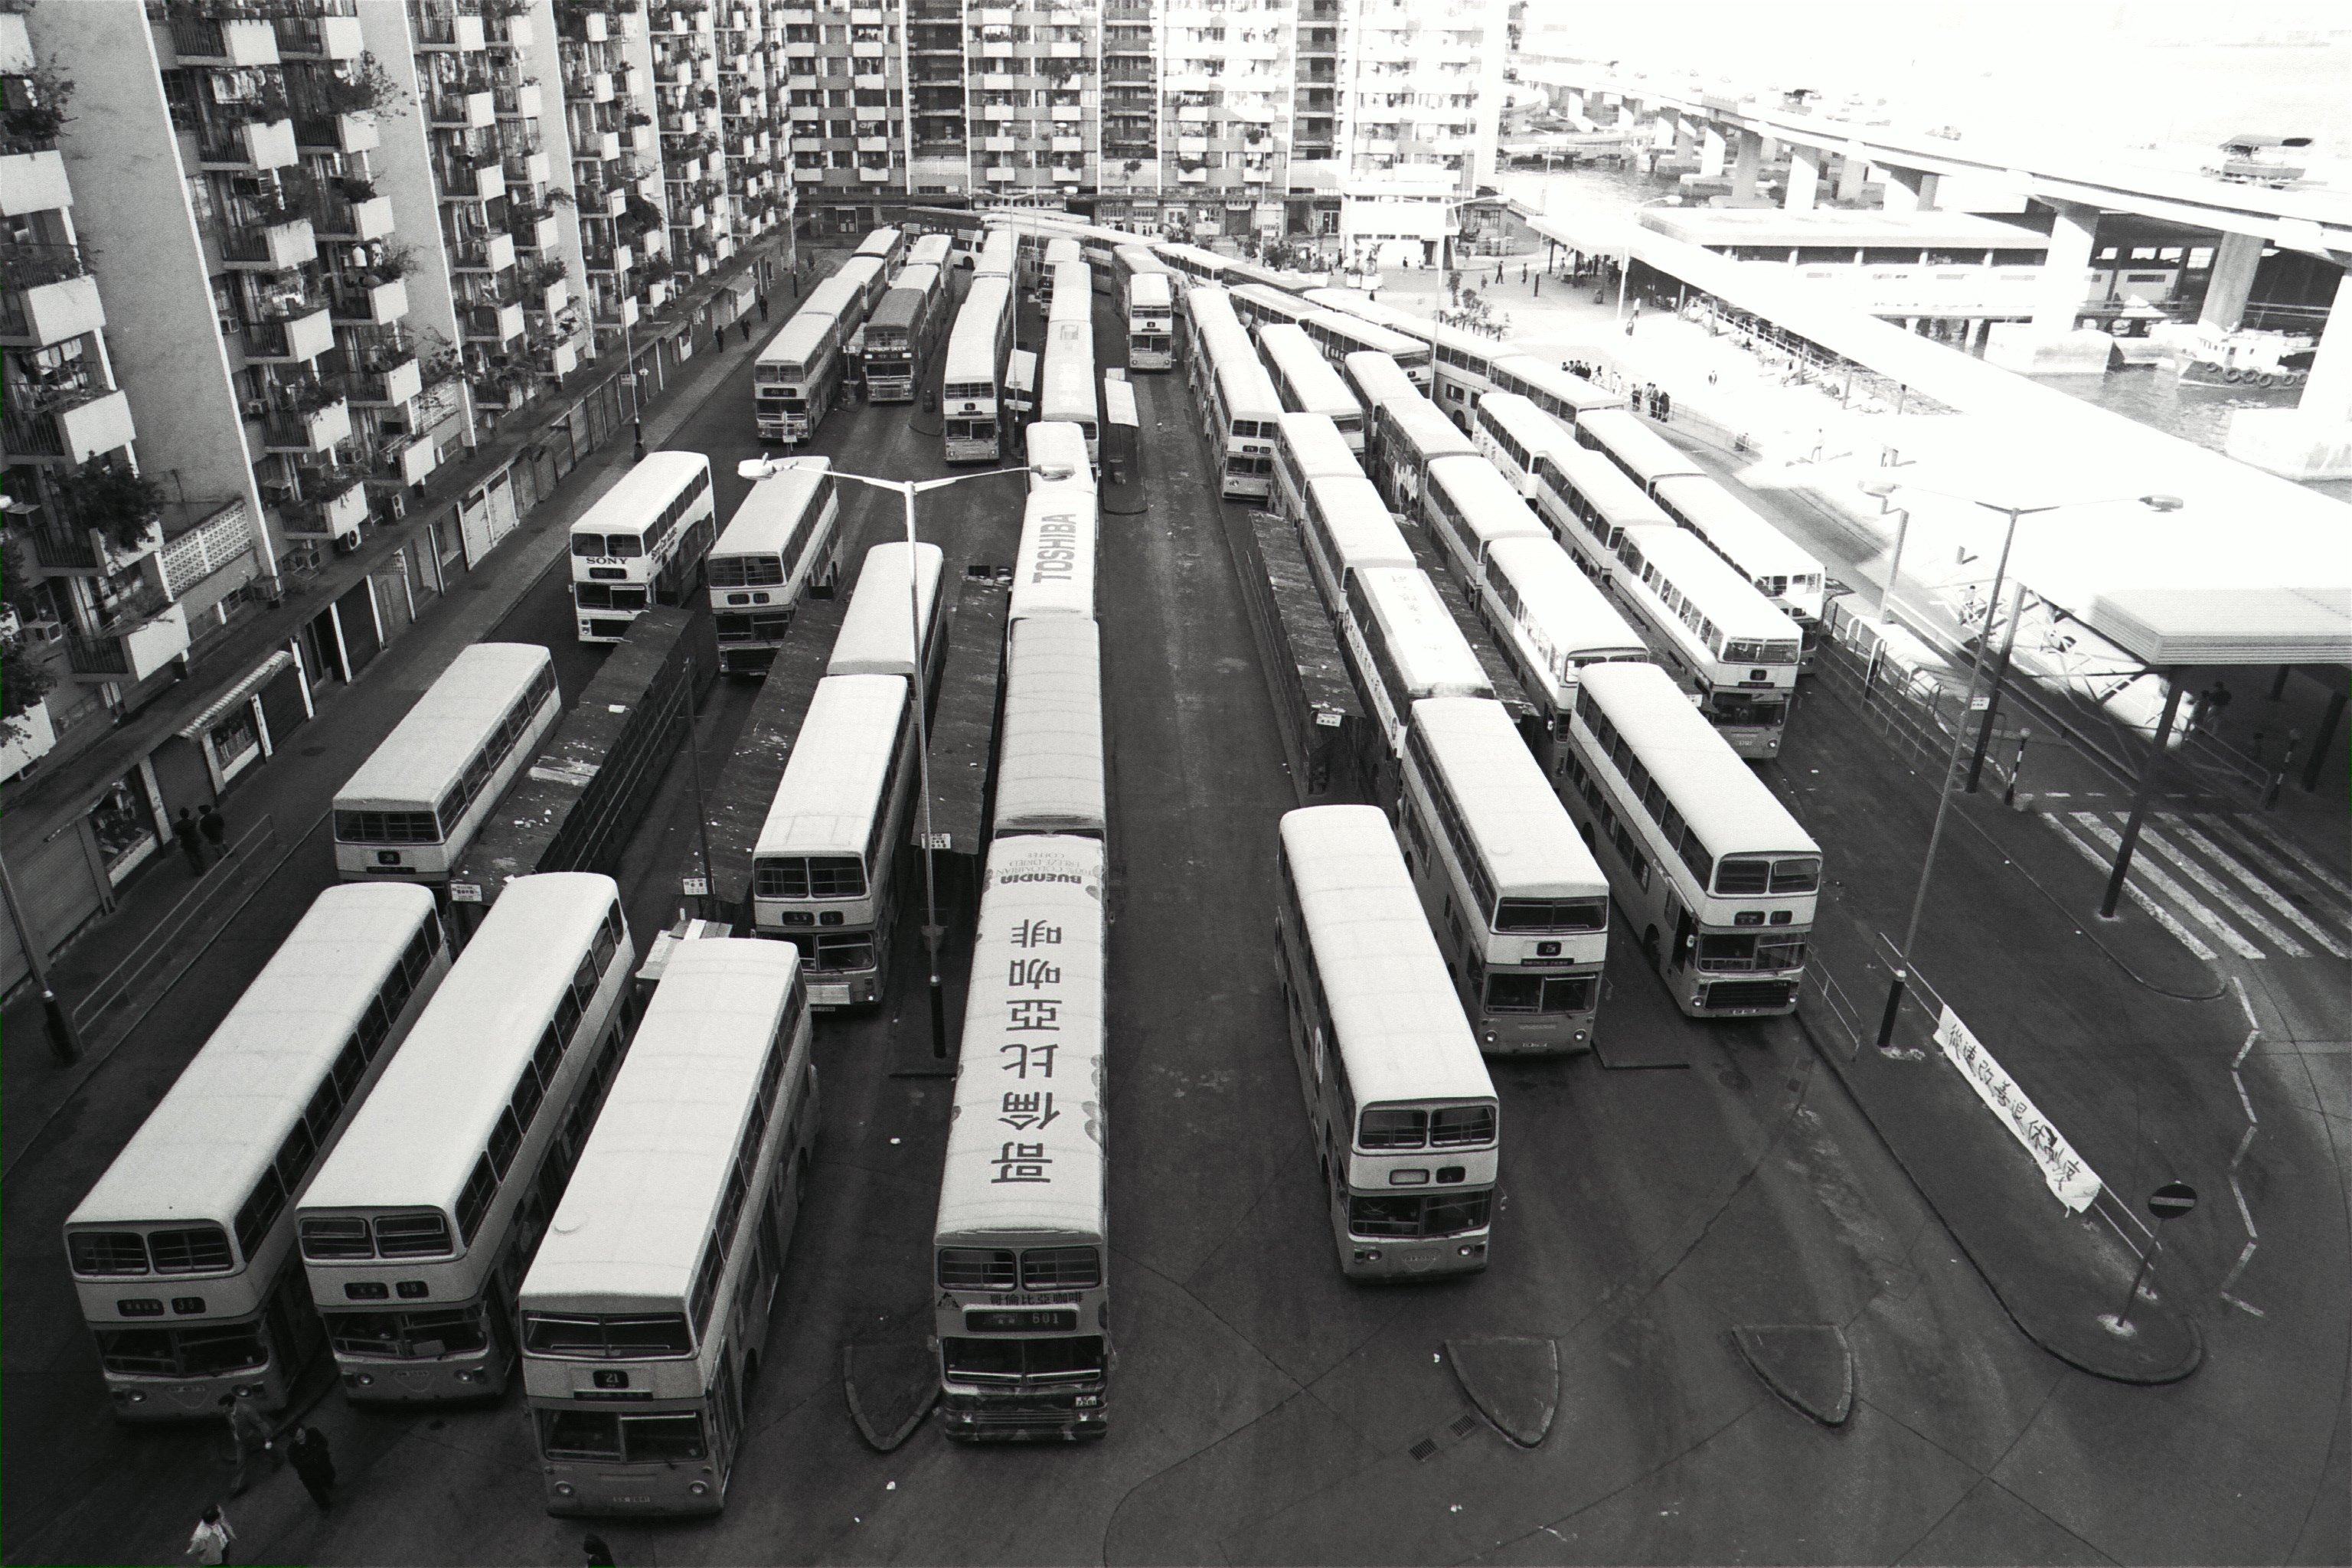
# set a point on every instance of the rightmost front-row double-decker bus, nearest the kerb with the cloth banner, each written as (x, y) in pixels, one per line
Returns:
(1706, 864)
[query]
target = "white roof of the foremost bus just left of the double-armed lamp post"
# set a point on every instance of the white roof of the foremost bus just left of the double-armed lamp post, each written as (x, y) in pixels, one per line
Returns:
(834, 779)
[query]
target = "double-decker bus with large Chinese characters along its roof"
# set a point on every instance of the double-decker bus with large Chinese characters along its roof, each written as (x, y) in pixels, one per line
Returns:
(1022, 1245)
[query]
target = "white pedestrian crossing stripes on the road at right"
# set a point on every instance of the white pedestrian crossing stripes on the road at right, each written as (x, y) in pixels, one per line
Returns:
(2221, 883)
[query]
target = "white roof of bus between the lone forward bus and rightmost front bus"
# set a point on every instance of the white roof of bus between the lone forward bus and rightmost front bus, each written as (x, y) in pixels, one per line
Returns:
(1509, 805)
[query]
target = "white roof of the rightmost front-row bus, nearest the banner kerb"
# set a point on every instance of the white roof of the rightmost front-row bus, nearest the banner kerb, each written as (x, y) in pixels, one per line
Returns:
(1716, 791)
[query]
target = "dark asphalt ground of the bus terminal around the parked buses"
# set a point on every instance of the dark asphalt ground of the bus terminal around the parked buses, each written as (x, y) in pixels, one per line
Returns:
(1264, 1409)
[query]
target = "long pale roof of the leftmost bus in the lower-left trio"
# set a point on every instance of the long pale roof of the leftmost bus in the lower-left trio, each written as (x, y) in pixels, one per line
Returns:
(203, 1148)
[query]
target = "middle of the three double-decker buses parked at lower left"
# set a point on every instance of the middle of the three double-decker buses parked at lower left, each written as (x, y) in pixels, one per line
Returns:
(422, 1224)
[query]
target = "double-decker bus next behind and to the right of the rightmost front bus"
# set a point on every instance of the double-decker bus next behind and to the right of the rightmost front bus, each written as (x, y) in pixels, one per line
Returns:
(1713, 631)
